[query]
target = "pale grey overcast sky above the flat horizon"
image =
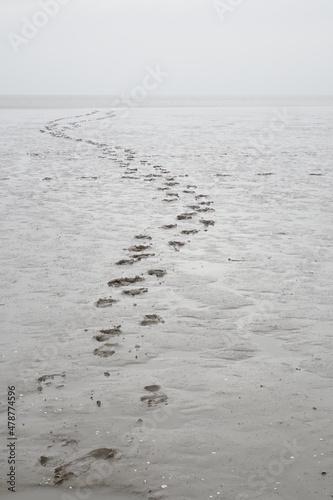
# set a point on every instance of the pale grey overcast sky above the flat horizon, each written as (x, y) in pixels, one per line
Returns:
(207, 47)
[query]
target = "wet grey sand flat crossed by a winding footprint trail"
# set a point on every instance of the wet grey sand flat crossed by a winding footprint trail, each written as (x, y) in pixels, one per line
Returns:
(167, 306)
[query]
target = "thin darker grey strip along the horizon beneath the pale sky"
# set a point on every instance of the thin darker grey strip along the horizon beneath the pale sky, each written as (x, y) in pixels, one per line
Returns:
(81, 101)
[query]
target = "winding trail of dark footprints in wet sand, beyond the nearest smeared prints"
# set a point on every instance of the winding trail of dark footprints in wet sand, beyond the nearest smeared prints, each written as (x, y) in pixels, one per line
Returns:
(172, 192)
